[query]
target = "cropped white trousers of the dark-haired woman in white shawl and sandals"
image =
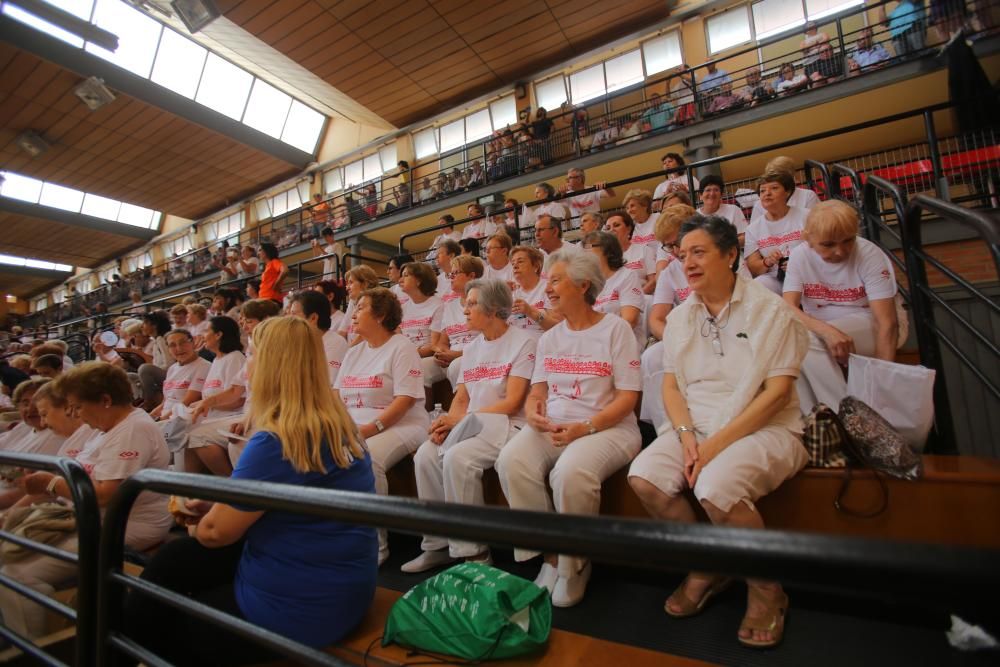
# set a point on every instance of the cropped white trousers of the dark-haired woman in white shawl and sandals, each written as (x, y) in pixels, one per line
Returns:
(749, 468)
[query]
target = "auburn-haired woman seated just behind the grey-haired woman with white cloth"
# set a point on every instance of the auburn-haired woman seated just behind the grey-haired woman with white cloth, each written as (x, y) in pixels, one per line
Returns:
(455, 333)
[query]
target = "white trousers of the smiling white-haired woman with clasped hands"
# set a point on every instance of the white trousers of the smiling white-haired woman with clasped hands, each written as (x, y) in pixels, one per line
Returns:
(575, 472)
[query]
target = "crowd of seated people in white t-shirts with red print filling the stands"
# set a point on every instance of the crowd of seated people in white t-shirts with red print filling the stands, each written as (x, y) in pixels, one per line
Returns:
(719, 331)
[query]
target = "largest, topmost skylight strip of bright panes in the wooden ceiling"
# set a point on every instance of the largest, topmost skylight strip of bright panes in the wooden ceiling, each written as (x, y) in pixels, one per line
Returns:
(166, 57)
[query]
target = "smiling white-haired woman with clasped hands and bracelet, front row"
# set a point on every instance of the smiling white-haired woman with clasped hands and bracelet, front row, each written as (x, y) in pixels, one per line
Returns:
(581, 427)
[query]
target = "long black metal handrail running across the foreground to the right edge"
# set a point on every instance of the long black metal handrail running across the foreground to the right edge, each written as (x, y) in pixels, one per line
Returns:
(929, 574)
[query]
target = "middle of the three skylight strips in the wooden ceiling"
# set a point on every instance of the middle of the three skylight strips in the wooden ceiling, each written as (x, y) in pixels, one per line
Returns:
(25, 188)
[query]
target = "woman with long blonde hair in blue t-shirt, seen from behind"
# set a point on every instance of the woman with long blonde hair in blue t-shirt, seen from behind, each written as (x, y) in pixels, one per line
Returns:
(308, 579)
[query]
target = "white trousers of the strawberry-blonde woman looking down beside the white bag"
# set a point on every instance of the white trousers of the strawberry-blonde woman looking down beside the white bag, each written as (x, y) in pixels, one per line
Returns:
(821, 379)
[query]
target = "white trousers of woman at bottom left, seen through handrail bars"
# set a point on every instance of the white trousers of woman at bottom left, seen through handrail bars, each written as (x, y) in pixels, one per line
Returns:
(41, 573)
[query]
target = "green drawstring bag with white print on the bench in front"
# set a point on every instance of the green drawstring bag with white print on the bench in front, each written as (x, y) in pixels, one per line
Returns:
(472, 611)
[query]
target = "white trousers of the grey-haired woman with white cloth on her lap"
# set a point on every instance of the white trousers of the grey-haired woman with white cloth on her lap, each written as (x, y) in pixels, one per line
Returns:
(455, 475)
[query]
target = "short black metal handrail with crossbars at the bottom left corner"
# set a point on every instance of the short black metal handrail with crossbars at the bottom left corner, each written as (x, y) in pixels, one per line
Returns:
(88, 527)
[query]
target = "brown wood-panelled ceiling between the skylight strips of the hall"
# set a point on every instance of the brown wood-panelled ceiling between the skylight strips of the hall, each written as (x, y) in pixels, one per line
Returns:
(381, 62)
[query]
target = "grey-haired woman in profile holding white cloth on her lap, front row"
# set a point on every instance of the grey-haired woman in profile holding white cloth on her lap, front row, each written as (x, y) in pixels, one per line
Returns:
(487, 410)
